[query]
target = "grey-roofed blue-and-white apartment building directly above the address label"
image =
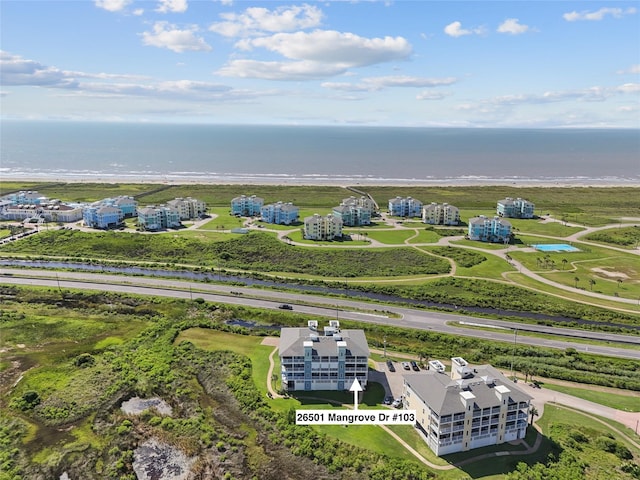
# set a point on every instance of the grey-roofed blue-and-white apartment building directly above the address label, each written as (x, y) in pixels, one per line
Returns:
(330, 361)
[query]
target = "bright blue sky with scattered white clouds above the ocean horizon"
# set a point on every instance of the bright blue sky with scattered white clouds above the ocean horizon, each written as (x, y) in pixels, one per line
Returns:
(520, 64)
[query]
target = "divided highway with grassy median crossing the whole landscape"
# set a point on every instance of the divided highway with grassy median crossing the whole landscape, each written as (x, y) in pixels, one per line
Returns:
(340, 308)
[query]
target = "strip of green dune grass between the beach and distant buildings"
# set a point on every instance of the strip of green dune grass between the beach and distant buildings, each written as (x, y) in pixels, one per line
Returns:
(576, 204)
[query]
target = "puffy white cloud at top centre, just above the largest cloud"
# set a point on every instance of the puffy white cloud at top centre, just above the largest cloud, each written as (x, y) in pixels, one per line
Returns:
(259, 20)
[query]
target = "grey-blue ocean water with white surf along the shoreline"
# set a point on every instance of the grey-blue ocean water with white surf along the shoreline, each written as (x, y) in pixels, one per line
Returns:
(314, 154)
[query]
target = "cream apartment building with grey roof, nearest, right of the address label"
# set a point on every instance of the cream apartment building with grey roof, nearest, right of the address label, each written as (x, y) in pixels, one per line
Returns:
(473, 408)
